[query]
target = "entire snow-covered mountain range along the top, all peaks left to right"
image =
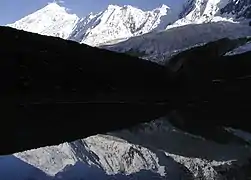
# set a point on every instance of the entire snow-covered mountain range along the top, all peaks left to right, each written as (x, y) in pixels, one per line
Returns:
(116, 24)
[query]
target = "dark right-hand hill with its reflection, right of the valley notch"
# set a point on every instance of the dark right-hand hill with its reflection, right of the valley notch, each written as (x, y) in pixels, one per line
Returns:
(217, 87)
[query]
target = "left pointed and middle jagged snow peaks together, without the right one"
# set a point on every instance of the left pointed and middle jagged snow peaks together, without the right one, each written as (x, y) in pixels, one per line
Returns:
(113, 23)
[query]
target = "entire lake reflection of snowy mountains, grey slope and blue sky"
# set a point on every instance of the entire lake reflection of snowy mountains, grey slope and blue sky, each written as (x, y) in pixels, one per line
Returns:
(150, 151)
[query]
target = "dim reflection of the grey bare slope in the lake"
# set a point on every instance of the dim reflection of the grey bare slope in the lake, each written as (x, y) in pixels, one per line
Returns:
(163, 135)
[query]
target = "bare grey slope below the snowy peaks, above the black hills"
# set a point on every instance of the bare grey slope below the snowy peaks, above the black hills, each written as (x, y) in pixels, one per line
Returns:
(160, 46)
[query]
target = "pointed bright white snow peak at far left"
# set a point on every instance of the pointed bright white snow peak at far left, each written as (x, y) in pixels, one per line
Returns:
(52, 20)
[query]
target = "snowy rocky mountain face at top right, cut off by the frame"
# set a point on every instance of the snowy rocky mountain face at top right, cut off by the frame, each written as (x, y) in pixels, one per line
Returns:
(203, 11)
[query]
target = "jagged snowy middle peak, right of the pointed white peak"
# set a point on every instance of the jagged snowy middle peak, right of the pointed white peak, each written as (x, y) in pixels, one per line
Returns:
(121, 22)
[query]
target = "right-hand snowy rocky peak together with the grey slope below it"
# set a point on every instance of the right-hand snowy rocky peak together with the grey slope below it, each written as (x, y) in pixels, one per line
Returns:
(200, 21)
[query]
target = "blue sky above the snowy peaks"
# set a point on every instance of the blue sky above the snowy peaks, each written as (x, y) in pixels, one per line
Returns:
(13, 10)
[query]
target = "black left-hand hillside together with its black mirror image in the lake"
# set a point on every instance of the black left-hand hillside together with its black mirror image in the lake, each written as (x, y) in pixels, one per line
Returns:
(54, 90)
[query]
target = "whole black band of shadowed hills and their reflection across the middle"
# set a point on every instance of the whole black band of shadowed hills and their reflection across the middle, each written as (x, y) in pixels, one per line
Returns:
(54, 91)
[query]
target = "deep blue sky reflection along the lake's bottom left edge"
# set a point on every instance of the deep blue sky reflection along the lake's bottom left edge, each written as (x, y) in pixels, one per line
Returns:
(13, 168)
